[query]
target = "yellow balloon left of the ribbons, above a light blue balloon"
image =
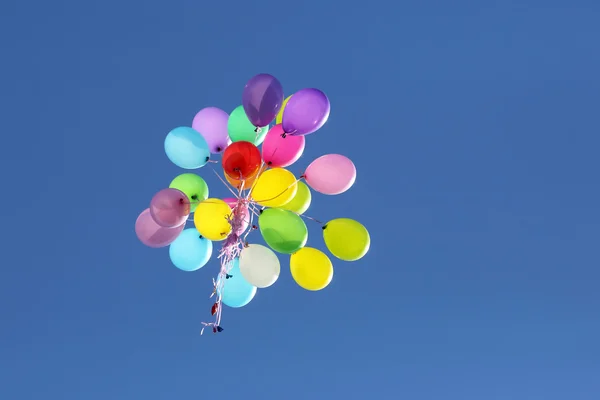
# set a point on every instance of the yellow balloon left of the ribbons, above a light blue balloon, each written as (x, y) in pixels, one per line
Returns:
(210, 219)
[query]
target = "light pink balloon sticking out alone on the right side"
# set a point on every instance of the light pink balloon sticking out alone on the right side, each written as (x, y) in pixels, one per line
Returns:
(331, 174)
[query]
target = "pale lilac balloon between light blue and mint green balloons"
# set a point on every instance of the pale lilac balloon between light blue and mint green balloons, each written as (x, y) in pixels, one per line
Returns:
(211, 122)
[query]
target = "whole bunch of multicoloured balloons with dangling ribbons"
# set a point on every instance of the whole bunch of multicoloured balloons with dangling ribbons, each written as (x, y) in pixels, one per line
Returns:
(261, 188)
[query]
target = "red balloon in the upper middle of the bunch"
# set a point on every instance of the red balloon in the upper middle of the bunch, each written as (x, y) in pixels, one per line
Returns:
(241, 160)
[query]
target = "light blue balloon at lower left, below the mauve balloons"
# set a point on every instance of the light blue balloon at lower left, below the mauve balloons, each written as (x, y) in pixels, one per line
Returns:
(190, 251)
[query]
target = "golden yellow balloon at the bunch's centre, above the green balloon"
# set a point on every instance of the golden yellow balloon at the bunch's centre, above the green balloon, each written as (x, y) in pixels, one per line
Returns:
(275, 187)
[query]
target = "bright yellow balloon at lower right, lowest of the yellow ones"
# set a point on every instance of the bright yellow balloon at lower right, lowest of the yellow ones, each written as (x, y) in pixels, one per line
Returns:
(311, 268)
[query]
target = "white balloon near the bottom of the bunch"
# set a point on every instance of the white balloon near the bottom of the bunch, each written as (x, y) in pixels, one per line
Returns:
(259, 265)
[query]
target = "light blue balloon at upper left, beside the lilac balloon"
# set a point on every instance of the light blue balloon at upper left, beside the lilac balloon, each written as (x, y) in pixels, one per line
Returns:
(186, 148)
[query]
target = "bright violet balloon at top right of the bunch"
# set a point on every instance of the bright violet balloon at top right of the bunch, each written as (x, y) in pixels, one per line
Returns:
(305, 112)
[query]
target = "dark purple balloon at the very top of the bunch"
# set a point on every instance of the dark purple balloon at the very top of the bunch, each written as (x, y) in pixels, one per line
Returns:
(262, 99)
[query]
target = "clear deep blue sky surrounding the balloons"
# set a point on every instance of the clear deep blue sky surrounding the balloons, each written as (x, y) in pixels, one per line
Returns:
(474, 128)
